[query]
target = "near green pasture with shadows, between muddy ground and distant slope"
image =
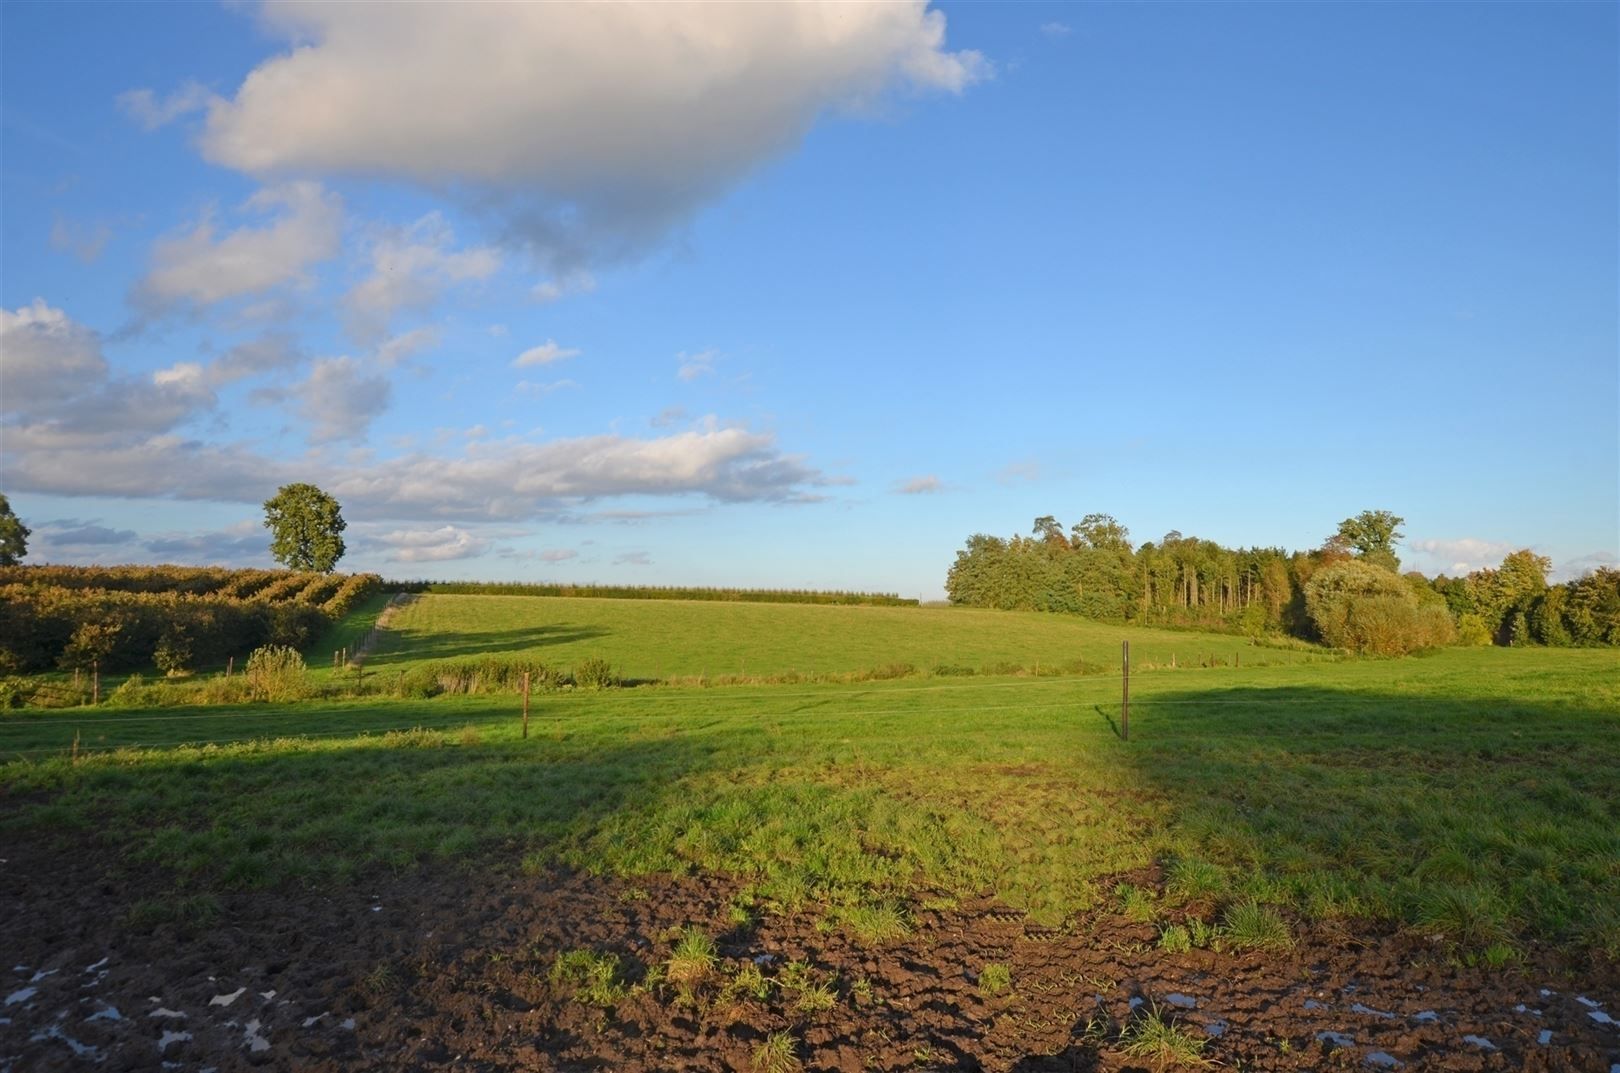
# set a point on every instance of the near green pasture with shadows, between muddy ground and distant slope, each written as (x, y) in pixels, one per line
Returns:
(1477, 792)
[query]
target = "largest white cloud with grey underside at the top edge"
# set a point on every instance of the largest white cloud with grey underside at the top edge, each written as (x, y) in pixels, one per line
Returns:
(597, 124)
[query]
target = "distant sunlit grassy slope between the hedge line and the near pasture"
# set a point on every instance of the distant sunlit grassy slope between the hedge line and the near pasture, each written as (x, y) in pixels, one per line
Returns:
(657, 639)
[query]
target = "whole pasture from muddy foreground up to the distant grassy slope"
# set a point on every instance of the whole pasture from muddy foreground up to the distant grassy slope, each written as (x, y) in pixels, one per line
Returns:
(1366, 858)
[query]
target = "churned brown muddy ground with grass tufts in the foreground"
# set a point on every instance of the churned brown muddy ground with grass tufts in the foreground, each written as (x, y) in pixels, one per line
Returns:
(451, 968)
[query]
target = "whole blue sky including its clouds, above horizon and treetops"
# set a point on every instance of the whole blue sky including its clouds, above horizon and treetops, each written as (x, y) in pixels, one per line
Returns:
(803, 297)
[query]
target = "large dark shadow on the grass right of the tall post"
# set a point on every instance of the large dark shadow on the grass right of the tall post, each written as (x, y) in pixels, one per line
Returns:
(1486, 819)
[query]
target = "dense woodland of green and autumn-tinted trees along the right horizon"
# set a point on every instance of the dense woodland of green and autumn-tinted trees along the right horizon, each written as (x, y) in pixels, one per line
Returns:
(1096, 571)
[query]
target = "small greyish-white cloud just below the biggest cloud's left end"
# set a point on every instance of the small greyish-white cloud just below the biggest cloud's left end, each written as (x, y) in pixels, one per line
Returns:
(205, 267)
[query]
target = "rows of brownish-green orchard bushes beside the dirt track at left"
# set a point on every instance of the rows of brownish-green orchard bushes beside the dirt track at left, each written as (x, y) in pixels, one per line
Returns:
(203, 617)
